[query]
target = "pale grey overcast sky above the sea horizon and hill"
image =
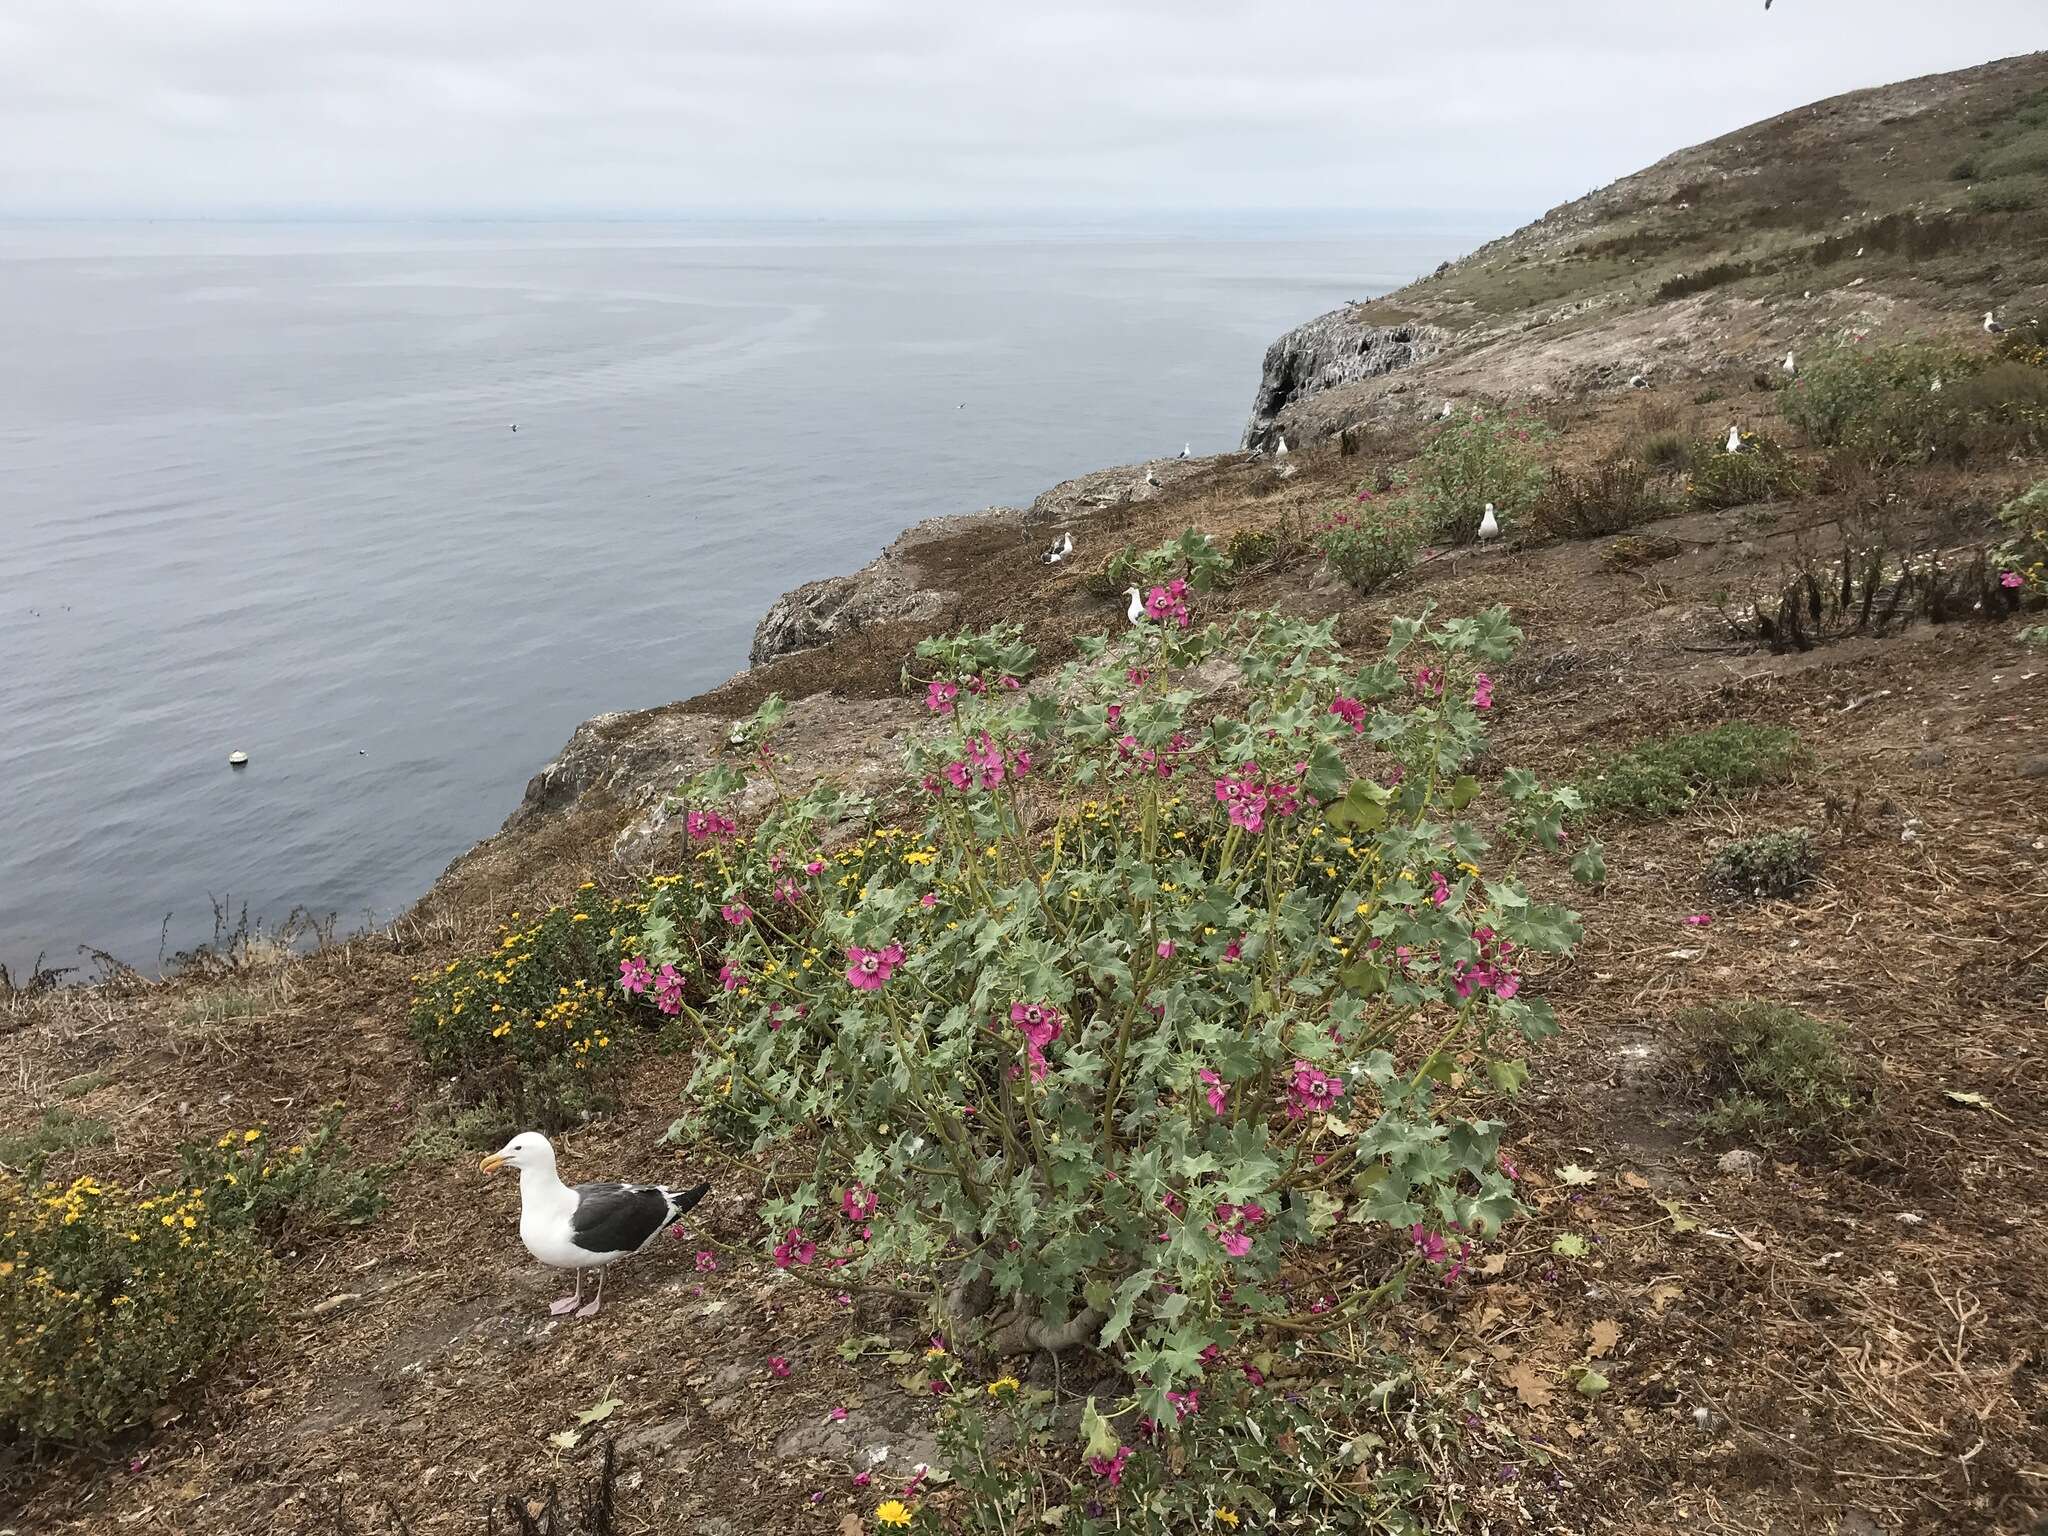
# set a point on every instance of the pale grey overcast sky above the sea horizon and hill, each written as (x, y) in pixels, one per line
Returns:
(910, 105)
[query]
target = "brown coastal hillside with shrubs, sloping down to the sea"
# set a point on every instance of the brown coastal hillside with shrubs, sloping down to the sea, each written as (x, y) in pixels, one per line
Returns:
(1506, 998)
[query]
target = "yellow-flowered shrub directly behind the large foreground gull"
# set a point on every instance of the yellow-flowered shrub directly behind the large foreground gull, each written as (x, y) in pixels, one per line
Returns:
(534, 1025)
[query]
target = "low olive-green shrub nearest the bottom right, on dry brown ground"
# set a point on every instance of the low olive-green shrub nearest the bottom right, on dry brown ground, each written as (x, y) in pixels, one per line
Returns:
(1775, 1070)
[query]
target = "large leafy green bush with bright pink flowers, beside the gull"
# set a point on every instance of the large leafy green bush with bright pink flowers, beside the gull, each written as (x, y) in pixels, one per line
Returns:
(1144, 1009)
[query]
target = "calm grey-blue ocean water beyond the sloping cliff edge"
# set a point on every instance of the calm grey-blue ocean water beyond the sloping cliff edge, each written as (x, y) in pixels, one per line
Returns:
(259, 493)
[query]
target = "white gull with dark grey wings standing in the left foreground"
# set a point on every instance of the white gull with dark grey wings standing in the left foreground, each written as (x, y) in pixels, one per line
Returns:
(591, 1226)
